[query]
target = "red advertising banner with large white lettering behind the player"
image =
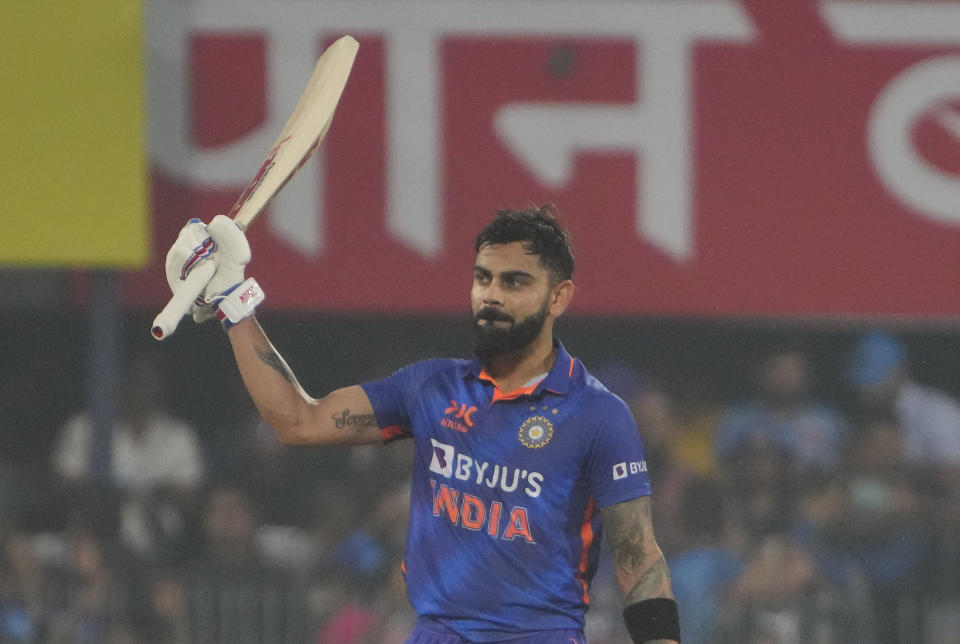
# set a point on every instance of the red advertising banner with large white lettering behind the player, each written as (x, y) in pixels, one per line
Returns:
(710, 157)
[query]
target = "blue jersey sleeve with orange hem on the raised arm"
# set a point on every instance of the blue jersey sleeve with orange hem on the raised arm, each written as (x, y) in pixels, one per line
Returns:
(393, 398)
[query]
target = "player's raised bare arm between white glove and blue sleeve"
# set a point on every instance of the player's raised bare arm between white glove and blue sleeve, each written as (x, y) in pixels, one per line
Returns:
(342, 417)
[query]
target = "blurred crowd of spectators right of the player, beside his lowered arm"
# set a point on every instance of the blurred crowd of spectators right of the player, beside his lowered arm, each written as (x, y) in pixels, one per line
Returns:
(790, 519)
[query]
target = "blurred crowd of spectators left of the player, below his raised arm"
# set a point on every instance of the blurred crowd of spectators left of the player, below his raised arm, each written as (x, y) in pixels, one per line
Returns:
(182, 535)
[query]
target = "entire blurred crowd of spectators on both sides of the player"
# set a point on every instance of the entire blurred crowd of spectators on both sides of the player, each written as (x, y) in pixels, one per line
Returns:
(787, 517)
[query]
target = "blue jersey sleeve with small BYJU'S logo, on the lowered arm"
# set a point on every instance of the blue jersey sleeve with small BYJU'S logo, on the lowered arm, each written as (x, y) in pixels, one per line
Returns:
(617, 465)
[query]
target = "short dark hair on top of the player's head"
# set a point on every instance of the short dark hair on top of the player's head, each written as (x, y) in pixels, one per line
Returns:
(541, 234)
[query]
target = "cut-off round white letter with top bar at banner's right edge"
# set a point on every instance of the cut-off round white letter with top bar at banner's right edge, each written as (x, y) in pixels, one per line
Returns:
(922, 90)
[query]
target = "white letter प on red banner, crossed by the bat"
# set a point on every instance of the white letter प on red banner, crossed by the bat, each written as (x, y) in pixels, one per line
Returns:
(291, 54)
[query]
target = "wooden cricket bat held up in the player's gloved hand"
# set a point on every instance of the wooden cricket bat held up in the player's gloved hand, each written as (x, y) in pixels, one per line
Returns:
(300, 136)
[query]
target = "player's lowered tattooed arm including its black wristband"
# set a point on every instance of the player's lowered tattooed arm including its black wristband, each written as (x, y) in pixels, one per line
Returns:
(642, 573)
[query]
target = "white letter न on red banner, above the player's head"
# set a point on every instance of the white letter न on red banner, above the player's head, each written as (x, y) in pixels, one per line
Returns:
(657, 129)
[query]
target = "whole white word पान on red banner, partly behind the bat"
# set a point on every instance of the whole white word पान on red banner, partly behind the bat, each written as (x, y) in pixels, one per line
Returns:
(545, 137)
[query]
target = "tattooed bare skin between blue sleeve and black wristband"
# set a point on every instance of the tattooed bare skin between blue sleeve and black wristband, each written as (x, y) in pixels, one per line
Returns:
(639, 564)
